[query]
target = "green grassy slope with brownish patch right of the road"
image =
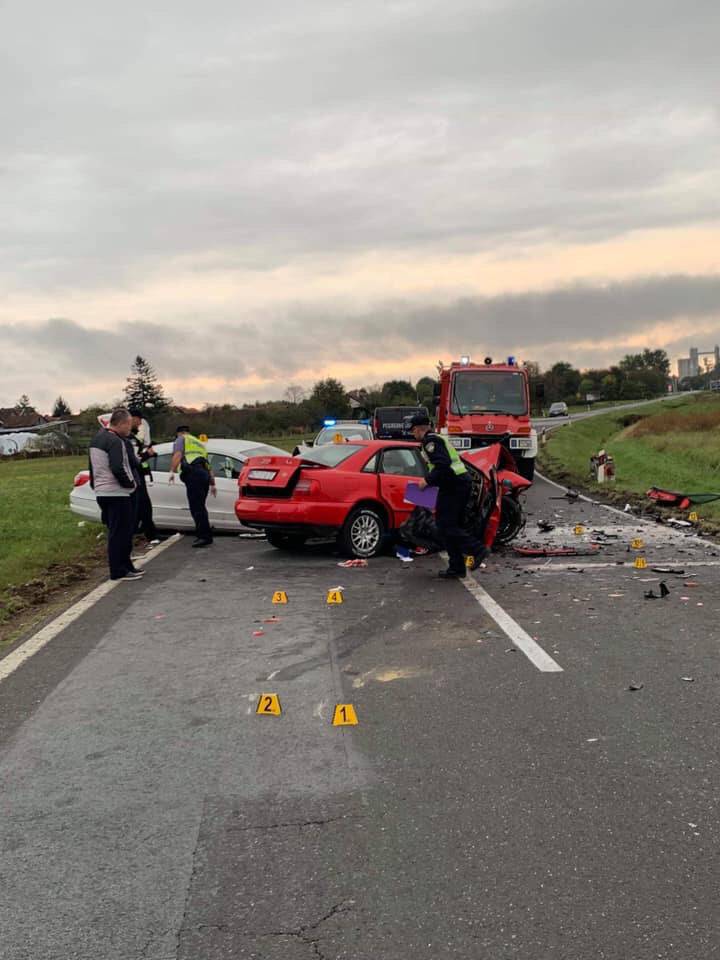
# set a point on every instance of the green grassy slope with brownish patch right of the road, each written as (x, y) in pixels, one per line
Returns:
(674, 444)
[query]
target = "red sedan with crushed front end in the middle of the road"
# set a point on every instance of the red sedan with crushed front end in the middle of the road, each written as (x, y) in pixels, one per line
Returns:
(354, 491)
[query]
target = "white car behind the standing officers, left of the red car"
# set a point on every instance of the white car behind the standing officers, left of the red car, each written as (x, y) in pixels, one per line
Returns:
(170, 509)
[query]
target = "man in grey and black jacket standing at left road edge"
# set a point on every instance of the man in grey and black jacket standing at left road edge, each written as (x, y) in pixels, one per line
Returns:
(111, 478)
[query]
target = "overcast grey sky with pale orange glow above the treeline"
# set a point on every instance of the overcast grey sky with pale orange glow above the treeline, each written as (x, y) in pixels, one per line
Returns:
(256, 194)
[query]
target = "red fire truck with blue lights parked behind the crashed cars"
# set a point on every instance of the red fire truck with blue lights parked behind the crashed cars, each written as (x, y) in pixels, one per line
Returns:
(483, 403)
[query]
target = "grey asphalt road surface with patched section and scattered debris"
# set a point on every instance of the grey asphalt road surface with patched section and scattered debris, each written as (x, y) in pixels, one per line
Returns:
(481, 808)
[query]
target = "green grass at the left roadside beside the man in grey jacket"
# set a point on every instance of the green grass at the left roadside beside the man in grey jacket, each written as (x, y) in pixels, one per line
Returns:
(42, 548)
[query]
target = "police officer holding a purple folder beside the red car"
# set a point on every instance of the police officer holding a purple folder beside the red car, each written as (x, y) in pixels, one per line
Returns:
(448, 473)
